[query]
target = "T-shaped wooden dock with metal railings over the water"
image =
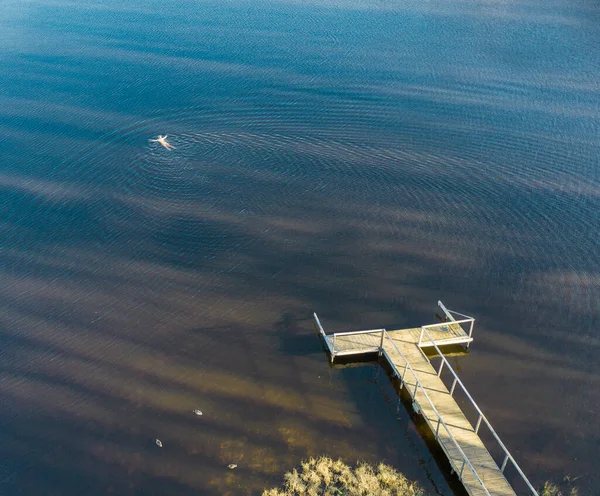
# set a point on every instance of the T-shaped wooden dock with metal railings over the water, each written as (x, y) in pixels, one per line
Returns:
(458, 437)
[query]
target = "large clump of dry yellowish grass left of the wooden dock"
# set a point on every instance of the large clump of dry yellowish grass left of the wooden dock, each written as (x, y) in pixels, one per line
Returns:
(326, 477)
